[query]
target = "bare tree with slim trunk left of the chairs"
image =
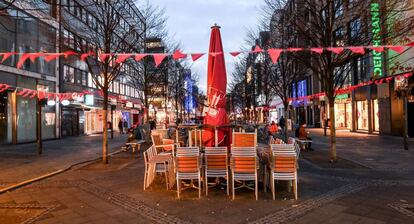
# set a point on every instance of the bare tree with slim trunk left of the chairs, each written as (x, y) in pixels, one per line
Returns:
(110, 37)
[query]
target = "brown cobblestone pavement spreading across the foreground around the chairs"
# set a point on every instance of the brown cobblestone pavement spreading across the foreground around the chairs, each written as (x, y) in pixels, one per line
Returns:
(98, 193)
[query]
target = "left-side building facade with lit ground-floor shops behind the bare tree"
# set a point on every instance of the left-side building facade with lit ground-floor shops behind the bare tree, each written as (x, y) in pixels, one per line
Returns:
(41, 26)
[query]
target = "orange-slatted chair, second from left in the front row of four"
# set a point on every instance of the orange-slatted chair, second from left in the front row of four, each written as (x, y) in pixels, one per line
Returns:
(216, 159)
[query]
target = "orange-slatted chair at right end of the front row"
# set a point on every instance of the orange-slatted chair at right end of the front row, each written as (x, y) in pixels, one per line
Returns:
(283, 166)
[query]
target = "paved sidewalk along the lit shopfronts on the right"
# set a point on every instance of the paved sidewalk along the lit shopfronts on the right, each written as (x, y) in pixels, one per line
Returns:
(375, 151)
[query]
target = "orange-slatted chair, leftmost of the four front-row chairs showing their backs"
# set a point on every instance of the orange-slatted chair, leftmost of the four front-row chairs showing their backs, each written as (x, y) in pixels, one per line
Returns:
(188, 167)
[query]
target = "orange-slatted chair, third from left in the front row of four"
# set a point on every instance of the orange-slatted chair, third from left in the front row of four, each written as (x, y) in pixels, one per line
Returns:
(244, 167)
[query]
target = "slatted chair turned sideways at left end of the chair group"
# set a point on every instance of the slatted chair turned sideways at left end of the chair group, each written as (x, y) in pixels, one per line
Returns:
(158, 163)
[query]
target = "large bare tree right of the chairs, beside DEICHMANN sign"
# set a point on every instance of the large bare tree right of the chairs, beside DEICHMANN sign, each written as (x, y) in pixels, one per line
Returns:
(335, 23)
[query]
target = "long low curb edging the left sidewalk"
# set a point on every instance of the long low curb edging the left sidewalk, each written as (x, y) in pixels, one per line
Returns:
(47, 175)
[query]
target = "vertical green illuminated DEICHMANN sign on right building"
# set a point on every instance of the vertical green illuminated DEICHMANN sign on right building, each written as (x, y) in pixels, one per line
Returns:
(376, 36)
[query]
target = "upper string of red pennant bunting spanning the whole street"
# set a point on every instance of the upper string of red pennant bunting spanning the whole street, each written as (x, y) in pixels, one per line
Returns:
(274, 53)
